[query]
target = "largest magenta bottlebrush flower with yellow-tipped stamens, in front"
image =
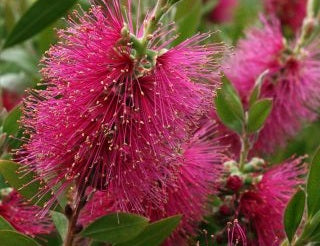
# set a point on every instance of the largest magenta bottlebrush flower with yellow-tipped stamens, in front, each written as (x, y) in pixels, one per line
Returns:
(105, 120)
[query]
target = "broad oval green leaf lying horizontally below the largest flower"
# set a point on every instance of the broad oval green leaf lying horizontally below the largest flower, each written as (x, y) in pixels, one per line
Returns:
(116, 227)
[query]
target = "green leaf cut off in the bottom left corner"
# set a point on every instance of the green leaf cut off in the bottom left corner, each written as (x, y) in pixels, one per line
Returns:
(12, 238)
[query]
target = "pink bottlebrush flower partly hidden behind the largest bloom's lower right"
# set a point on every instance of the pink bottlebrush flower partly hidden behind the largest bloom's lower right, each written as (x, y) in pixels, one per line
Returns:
(200, 166)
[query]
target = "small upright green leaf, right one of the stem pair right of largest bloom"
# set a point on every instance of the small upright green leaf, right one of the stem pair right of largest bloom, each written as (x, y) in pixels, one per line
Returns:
(258, 114)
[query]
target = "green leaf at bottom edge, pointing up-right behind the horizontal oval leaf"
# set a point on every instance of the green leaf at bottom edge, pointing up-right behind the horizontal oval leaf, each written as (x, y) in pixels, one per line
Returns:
(155, 233)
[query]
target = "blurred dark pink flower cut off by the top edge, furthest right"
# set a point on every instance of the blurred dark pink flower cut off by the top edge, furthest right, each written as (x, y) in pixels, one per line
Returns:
(290, 12)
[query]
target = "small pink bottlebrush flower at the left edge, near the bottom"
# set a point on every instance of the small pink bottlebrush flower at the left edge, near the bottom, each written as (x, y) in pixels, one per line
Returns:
(22, 216)
